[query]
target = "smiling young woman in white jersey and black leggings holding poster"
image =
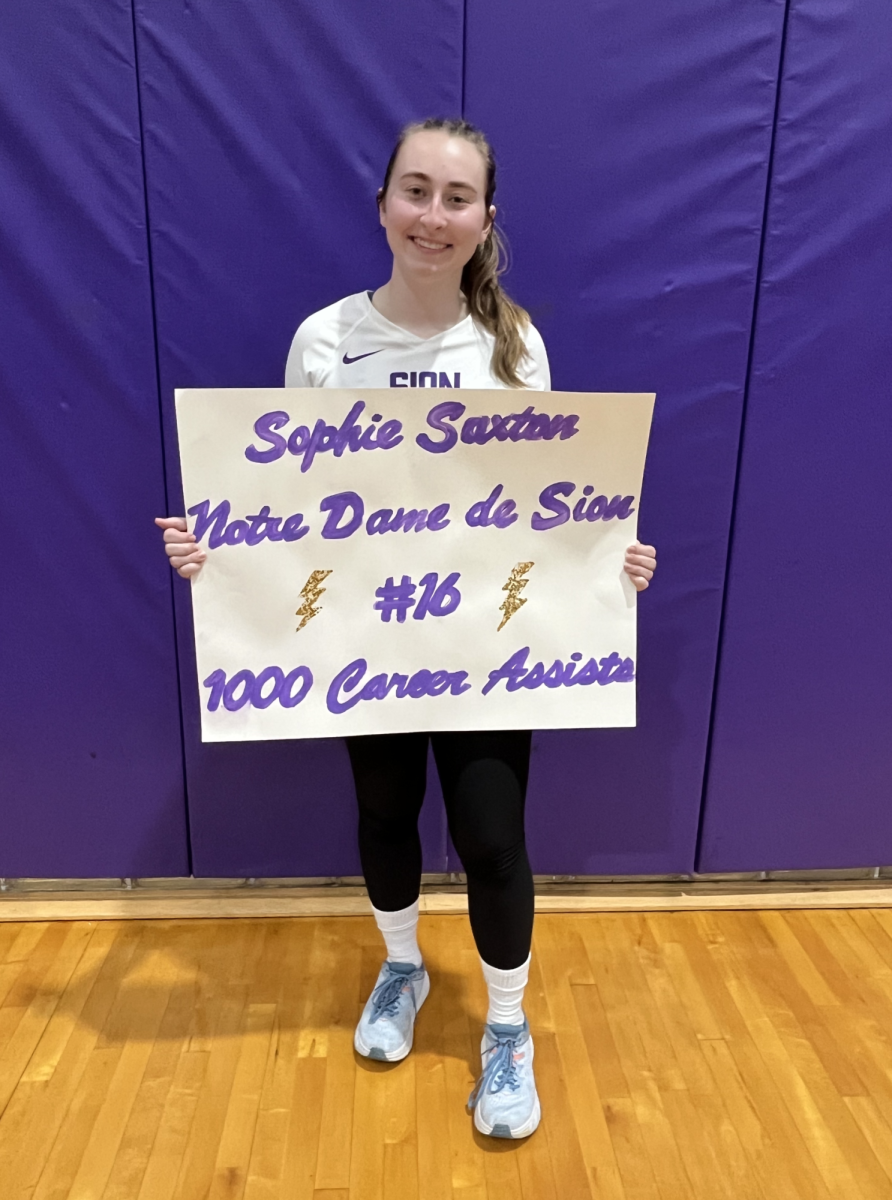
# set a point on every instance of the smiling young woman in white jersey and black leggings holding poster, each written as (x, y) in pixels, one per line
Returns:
(442, 311)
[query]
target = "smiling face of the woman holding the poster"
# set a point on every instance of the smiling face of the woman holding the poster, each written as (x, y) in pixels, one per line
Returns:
(435, 208)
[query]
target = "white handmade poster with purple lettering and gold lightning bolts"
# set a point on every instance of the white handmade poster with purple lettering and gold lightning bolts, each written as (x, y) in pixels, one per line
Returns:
(388, 561)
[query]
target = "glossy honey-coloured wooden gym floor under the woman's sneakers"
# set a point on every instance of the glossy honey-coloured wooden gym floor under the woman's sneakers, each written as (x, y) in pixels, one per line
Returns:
(679, 1057)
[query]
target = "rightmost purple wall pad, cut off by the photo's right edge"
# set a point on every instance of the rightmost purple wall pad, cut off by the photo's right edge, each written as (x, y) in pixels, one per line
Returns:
(801, 754)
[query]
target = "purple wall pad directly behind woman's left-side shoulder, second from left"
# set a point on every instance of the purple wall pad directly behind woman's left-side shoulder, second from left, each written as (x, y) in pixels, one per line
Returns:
(267, 131)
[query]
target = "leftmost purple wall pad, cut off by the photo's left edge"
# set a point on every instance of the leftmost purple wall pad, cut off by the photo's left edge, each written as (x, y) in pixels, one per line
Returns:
(92, 752)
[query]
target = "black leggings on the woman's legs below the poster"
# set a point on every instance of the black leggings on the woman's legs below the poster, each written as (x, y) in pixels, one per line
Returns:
(484, 779)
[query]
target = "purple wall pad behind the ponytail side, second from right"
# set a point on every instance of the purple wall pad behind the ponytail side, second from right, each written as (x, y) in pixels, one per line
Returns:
(633, 142)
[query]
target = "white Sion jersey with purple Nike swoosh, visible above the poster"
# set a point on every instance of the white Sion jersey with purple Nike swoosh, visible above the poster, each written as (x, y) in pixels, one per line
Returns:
(350, 345)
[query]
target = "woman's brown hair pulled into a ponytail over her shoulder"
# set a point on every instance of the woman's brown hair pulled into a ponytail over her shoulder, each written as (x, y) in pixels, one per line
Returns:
(488, 303)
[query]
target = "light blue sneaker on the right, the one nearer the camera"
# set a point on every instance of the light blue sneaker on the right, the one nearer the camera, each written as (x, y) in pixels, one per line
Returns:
(505, 1101)
